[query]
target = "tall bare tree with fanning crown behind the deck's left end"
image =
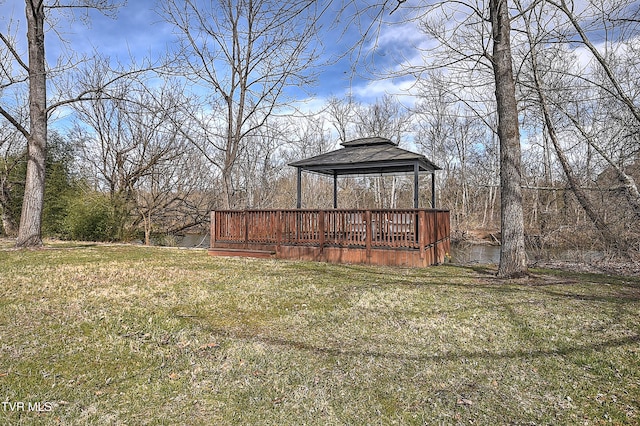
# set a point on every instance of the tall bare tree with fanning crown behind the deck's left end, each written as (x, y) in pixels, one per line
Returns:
(244, 55)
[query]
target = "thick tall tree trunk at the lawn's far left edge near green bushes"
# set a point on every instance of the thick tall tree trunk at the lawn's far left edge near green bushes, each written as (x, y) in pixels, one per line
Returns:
(29, 234)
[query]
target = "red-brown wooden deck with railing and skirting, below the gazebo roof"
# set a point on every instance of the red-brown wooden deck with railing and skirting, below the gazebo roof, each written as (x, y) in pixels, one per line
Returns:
(411, 237)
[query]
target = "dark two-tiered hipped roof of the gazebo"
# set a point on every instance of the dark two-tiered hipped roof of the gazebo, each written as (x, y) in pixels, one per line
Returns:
(367, 156)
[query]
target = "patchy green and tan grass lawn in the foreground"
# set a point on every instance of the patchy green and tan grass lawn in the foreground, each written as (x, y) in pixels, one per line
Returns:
(95, 334)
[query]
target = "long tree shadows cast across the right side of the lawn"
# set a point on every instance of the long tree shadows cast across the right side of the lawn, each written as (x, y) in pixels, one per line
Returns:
(526, 291)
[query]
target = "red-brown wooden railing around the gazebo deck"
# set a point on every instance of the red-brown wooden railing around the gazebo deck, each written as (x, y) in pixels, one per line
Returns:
(415, 229)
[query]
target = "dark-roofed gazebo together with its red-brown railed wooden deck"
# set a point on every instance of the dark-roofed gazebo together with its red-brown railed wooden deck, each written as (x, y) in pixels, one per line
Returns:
(403, 237)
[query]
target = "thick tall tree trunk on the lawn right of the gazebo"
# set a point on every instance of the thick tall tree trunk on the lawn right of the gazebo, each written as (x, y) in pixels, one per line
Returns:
(513, 261)
